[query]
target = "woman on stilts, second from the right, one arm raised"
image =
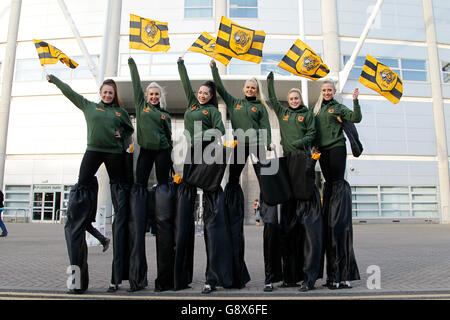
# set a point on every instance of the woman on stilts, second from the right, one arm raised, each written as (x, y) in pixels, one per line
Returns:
(301, 221)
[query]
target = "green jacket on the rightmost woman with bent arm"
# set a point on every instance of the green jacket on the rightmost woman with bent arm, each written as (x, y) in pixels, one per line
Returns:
(329, 128)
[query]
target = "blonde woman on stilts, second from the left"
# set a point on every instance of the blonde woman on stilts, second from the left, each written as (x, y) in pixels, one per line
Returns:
(154, 136)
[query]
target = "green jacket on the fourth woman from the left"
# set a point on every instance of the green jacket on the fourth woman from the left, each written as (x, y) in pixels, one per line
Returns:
(244, 114)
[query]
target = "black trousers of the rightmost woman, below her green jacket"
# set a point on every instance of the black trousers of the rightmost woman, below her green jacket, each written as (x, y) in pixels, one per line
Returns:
(332, 163)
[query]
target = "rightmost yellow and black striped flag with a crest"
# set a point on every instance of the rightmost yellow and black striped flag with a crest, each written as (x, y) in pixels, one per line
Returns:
(382, 79)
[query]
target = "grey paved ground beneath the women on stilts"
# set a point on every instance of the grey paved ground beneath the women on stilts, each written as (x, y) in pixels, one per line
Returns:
(414, 262)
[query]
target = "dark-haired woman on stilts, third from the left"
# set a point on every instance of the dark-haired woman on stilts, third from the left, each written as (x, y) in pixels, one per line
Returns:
(203, 113)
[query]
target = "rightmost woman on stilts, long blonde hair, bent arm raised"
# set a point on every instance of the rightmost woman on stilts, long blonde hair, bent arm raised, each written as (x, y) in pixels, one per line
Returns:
(337, 197)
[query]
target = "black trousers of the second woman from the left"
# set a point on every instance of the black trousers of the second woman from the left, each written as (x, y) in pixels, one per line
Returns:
(146, 159)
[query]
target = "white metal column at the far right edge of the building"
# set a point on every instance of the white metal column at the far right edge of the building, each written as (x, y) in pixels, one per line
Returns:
(438, 110)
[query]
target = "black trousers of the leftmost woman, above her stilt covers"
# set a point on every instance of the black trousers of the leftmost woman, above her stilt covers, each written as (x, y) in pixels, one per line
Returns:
(92, 160)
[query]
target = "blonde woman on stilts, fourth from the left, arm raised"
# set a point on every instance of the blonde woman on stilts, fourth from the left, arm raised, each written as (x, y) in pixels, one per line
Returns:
(251, 128)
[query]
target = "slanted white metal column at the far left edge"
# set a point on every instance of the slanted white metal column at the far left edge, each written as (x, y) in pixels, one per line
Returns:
(8, 75)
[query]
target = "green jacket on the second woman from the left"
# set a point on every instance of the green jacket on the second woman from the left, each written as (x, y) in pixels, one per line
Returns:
(154, 129)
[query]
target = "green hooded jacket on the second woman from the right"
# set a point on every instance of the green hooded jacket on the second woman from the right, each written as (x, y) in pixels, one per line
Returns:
(297, 126)
